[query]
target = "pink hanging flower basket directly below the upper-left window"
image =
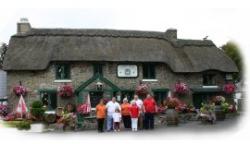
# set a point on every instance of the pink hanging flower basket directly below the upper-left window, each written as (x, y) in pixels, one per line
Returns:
(65, 91)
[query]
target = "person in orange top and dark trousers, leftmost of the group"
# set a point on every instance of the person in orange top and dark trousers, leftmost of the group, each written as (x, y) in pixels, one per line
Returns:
(100, 115)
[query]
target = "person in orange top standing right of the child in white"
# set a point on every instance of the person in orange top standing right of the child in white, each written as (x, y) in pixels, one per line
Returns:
(125, 109)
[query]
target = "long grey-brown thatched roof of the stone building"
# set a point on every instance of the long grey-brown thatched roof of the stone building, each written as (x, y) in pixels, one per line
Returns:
(35, 49)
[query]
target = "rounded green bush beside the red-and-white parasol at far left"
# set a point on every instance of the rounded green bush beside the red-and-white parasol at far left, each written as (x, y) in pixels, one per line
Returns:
(37, 109)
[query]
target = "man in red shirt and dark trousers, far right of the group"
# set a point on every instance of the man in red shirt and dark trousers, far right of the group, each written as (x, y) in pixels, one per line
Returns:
(150, 108)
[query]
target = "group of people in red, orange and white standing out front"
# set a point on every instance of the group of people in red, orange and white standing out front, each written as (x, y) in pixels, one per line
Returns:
(135, 114)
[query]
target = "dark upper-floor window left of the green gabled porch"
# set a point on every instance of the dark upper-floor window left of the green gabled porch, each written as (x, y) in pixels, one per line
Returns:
(62, 71)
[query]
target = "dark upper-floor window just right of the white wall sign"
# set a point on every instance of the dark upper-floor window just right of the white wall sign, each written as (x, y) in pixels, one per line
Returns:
(148, 71)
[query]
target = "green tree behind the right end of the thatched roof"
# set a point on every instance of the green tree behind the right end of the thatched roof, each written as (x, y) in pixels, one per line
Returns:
(233, 51)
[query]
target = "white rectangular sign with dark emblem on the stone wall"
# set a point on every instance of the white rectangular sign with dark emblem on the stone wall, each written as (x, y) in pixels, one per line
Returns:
(127, 71)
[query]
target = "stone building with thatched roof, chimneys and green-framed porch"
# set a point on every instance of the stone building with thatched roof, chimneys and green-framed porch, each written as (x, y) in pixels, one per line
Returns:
(43, 59)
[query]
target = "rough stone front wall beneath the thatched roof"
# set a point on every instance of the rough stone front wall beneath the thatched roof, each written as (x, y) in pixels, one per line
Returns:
(81, 72)
